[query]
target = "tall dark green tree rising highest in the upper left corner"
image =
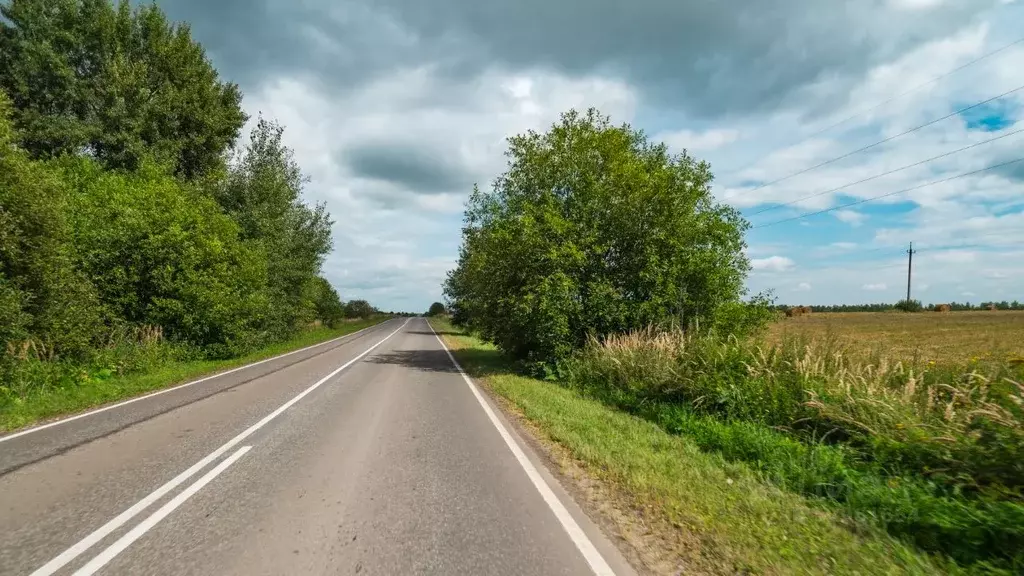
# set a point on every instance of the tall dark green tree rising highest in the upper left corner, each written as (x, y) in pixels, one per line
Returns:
(115, 84)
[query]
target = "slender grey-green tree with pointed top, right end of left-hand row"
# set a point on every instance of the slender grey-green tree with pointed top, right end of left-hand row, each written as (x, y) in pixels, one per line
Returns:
(264, 193)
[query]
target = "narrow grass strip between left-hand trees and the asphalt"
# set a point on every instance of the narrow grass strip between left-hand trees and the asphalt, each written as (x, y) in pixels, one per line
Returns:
(52, 402)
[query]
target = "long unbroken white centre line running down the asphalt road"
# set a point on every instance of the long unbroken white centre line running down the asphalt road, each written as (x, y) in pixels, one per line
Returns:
(105, 530)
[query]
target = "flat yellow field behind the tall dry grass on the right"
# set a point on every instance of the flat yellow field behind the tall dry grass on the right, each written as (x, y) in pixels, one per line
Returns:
(940, 337)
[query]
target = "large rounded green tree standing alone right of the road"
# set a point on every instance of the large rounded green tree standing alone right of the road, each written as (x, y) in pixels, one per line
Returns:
(594, 230)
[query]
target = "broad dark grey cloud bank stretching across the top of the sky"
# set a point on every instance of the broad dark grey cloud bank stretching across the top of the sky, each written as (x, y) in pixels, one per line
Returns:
(708, 58)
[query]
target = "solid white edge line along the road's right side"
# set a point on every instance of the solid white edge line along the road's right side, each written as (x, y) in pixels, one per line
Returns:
(579, 538)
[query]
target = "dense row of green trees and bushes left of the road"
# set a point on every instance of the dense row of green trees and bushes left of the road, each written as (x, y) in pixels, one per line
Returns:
(129, 202)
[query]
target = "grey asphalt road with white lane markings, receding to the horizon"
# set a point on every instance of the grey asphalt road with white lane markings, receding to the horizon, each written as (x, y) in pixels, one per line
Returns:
(372, 455)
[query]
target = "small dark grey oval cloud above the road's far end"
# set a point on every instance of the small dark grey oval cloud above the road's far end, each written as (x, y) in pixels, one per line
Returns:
(409, 168)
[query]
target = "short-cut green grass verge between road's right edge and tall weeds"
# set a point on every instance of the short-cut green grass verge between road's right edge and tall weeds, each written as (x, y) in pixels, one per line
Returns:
(743, 525)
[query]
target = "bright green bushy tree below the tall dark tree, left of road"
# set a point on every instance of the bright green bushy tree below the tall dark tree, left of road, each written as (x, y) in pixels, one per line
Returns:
(162, 255)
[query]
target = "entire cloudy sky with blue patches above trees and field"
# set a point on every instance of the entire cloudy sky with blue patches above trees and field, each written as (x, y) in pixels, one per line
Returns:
(397, 108)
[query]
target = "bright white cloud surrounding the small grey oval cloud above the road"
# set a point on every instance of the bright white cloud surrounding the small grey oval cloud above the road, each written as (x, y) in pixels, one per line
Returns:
(395, 243)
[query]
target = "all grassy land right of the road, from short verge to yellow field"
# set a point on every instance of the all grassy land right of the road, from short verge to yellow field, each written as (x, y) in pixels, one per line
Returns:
(901, 435)
